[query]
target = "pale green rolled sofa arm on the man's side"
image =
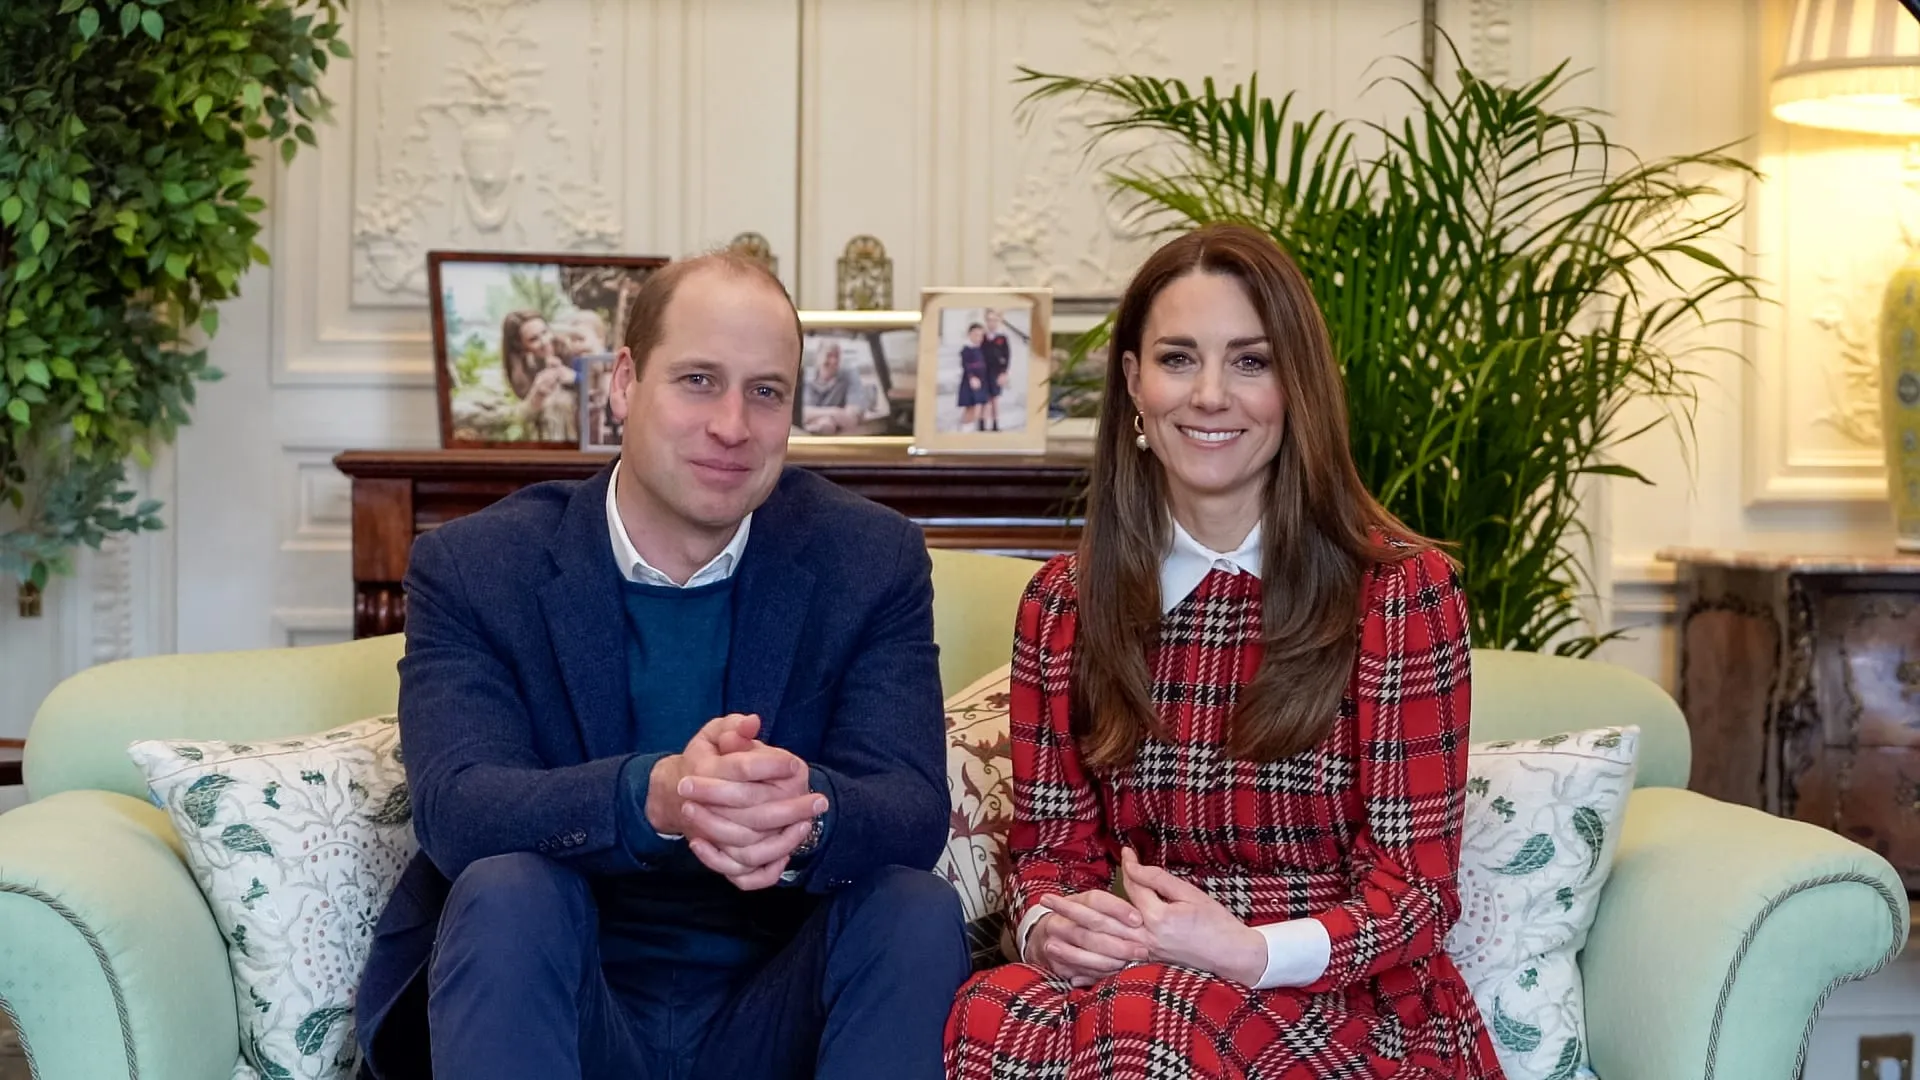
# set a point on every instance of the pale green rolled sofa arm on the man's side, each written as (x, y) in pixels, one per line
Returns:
(110, 960)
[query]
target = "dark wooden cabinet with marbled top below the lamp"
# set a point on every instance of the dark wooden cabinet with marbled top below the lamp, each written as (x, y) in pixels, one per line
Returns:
(1800, 679)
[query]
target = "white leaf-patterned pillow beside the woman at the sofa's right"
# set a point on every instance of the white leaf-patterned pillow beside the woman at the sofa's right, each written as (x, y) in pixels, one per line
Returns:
(1543, 823)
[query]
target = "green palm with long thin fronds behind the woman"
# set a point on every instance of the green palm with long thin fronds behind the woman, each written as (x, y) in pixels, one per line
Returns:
(1500, 282)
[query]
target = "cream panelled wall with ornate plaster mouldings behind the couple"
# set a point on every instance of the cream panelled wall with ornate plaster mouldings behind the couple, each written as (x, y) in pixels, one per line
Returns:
(671, 126)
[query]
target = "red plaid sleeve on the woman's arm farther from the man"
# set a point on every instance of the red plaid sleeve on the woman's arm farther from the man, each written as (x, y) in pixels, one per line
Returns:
(1412, 689)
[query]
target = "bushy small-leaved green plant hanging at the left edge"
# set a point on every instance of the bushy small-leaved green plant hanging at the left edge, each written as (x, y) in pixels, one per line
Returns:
(128, 137)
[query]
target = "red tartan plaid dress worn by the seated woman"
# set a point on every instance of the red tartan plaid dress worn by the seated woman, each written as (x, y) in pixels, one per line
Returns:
(1360, 833)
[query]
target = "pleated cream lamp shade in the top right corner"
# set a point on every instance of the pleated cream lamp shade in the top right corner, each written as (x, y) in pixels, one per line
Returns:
(1852, 66)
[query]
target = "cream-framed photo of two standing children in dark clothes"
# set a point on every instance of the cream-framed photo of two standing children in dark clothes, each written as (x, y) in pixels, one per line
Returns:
(984, 370)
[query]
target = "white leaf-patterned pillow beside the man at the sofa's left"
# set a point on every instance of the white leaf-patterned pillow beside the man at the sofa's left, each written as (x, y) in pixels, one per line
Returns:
(297, 845)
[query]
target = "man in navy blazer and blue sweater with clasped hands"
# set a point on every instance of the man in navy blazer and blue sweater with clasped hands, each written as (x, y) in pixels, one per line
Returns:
(675, 745)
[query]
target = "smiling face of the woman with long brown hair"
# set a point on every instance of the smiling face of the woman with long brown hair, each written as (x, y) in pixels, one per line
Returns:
(1209, 395)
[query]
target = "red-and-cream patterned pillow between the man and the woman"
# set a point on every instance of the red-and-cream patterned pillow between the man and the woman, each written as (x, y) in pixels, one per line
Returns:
(980, 779)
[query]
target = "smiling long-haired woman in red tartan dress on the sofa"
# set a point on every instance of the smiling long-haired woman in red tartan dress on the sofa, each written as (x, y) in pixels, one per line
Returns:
(1247, 699)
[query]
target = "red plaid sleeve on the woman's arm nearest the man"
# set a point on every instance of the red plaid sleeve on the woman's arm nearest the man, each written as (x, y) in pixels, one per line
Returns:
(1059, 839)
